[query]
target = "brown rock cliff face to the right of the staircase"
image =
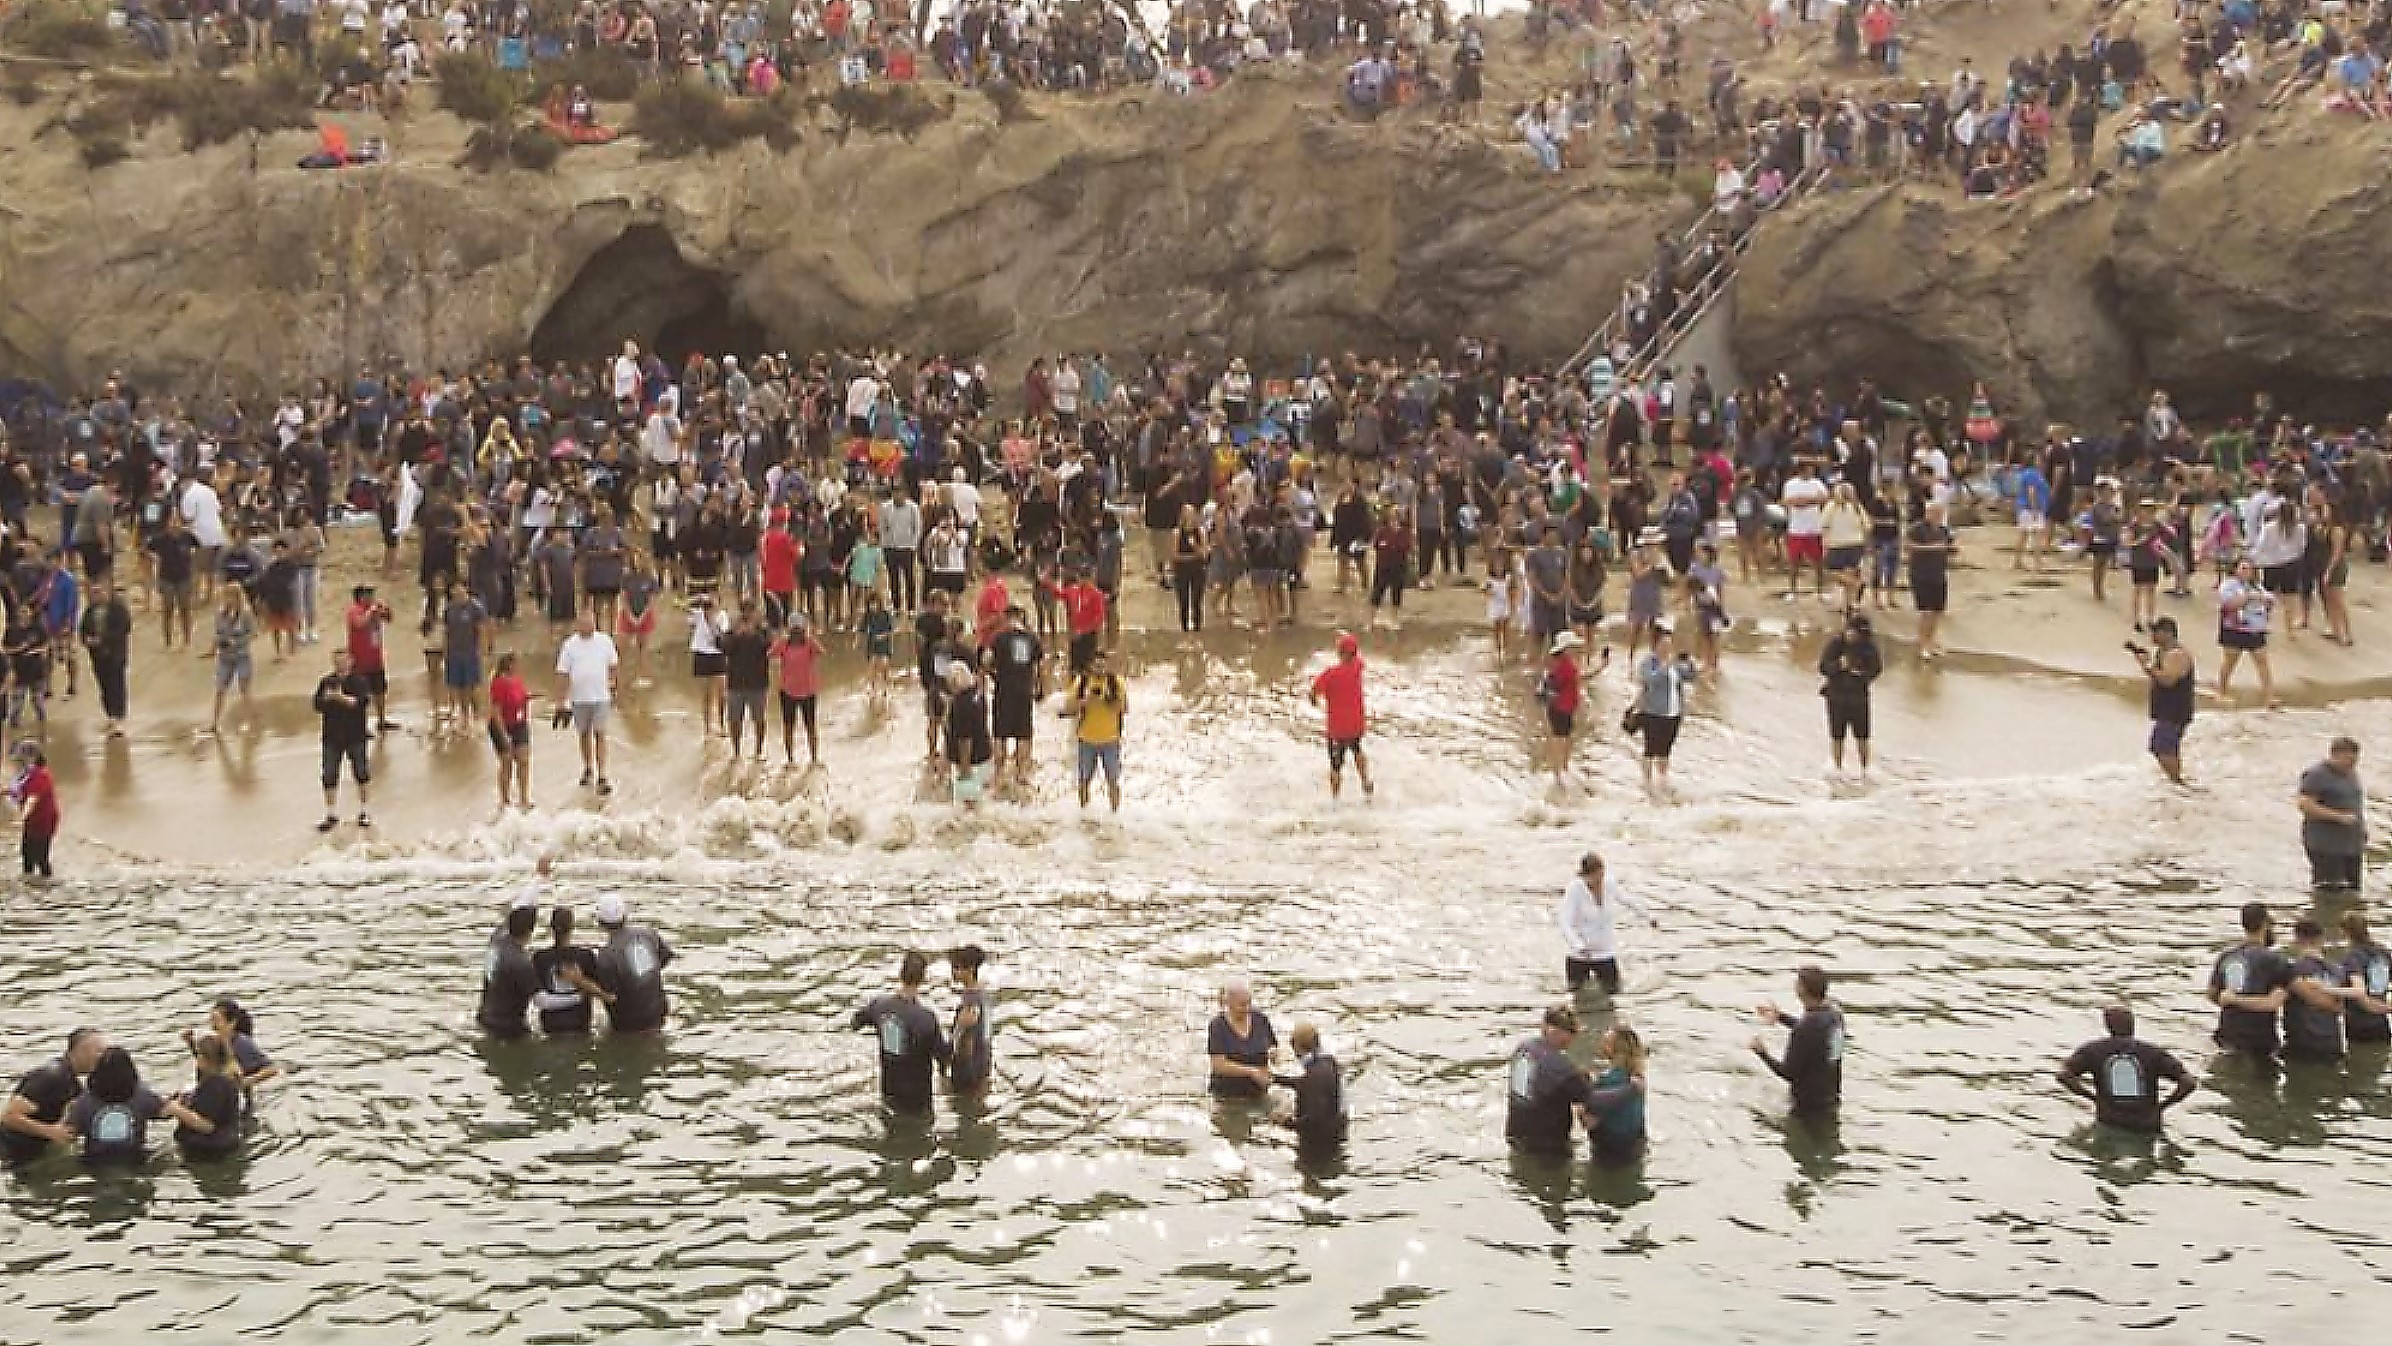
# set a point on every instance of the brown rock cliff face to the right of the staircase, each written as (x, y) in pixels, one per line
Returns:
(2214, 279)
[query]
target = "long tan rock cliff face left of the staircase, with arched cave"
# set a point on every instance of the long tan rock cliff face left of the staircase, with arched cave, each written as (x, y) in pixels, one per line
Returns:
(1259, 219)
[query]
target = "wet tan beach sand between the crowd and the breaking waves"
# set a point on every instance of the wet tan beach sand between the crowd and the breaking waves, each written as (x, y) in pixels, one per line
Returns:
(2025, 649)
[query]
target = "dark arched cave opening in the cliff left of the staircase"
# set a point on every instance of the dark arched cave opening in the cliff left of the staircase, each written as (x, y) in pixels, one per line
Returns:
(642, 288)
